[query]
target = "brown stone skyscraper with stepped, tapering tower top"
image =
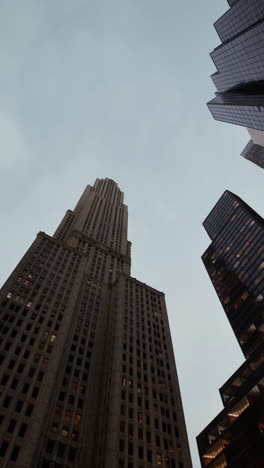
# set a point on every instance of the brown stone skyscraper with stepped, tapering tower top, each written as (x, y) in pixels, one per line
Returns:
(88, 376)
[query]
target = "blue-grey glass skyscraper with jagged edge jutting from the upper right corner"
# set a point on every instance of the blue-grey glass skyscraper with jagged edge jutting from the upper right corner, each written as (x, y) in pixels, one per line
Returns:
(239, 60)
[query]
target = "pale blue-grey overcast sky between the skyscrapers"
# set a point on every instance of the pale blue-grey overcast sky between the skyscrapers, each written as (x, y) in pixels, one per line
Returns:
(117, 89)
